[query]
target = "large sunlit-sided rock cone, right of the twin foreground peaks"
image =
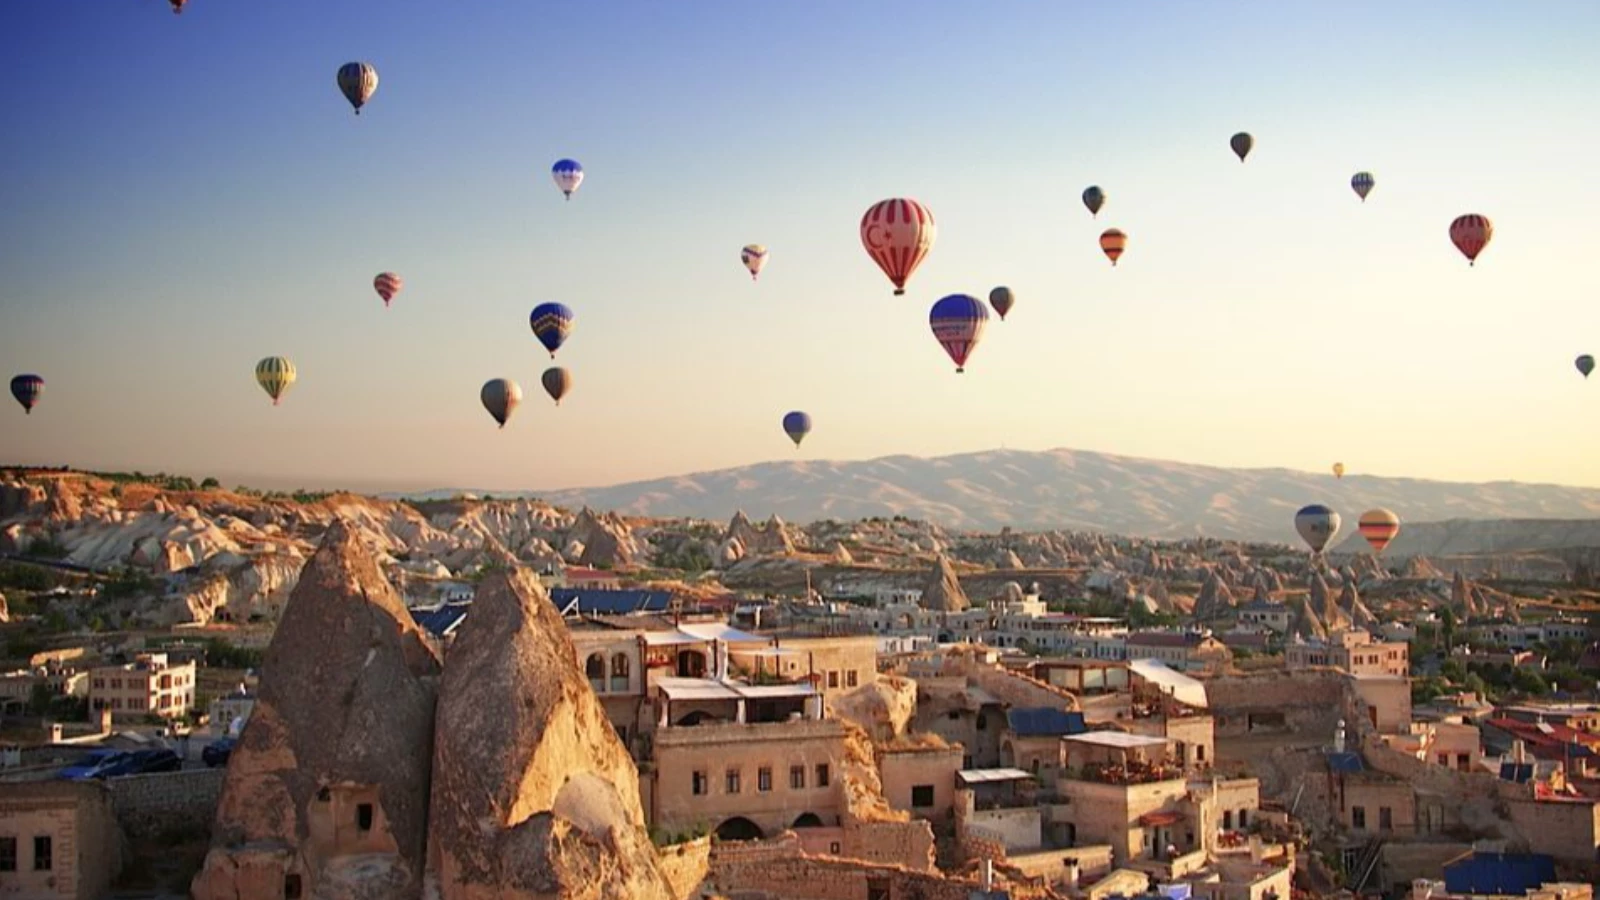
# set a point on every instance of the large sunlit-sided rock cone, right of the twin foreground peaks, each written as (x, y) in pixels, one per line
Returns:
(534, 798)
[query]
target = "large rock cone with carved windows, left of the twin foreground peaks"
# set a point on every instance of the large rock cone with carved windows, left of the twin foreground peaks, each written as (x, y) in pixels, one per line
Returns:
(327, 790)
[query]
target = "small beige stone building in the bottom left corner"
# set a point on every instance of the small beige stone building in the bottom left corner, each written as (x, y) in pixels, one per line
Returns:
(58, 840)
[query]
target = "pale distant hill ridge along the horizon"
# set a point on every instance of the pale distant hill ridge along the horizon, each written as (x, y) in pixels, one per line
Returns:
(1074, 489)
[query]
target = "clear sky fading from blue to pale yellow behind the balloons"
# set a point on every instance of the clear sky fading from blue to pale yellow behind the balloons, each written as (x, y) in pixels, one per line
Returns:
(182, 196)
